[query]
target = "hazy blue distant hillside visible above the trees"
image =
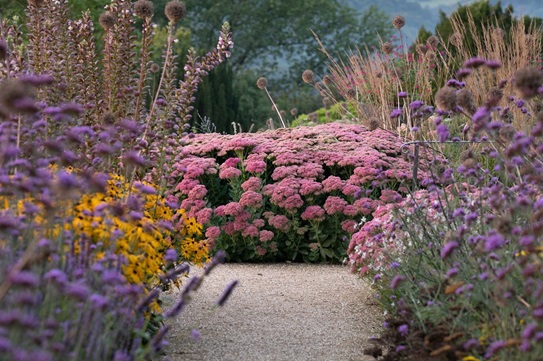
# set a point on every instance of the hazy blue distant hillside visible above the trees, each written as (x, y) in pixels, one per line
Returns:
(426, 12)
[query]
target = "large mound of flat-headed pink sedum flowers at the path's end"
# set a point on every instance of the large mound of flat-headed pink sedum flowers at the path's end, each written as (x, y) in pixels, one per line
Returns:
(290, 194)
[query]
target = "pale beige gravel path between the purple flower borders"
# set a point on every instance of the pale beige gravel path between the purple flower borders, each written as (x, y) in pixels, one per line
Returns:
(277, 312)
